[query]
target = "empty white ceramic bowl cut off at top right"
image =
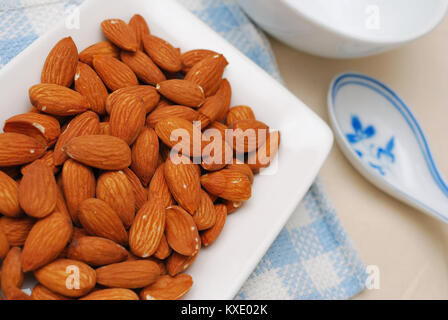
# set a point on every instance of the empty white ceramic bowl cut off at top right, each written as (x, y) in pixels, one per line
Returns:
(346, 28)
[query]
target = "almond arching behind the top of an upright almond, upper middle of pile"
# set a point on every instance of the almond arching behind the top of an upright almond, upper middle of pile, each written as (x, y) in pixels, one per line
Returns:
(148, 94)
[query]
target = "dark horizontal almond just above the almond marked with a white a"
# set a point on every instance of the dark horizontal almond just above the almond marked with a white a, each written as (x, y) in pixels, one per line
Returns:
(96, 251)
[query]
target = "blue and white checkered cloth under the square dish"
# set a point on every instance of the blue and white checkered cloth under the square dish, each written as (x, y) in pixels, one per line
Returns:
(312, 258)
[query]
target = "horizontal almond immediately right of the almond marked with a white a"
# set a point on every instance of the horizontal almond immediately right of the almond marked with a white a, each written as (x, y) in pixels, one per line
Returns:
(129, 274)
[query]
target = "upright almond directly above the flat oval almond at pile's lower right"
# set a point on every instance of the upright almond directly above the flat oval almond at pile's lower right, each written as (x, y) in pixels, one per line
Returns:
(183, 180)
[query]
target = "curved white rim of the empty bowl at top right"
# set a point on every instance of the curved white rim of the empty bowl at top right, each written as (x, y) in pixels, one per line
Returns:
(366, 39)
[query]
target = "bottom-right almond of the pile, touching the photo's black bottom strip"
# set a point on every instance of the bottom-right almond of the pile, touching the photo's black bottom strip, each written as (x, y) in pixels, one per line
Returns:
(168, 288)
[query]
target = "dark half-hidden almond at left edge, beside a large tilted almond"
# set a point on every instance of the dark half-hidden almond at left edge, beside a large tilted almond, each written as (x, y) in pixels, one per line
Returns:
(16, 229)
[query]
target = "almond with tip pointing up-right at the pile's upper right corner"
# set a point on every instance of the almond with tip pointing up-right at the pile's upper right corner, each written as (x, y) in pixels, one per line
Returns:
(208, 73)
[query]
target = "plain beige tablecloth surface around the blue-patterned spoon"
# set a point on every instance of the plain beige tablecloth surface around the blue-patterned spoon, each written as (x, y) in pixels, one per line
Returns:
(409, 247)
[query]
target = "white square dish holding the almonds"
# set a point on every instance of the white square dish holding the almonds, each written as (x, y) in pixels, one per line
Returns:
(220, 270)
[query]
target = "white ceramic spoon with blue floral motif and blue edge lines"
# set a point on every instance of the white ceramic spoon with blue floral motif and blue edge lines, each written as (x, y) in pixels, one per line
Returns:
(382, 139)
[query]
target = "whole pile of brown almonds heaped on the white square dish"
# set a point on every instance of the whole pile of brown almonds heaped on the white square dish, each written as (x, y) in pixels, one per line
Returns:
(93, 200)
